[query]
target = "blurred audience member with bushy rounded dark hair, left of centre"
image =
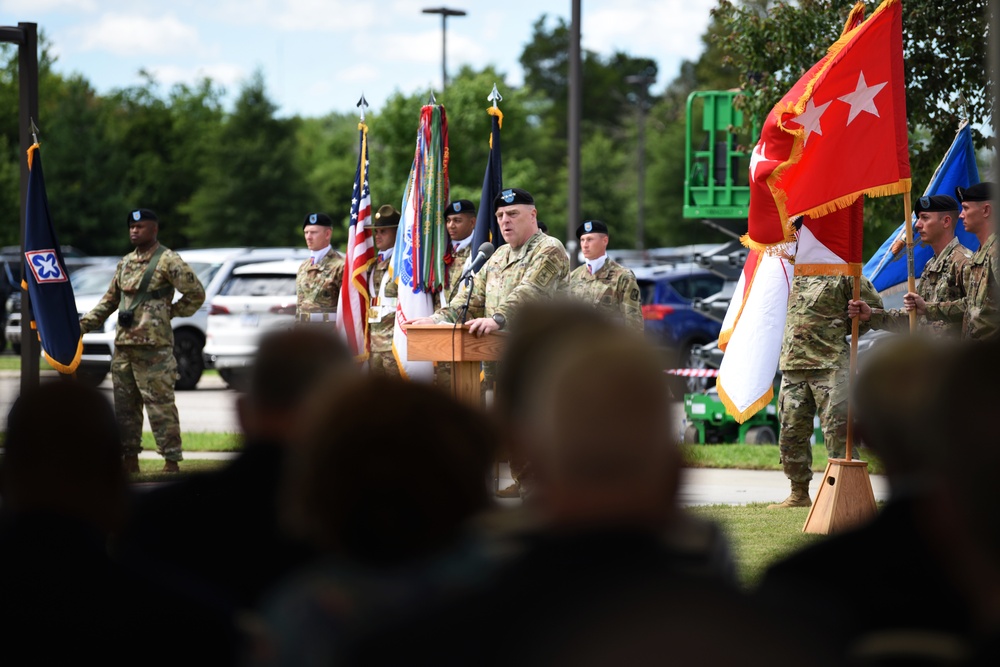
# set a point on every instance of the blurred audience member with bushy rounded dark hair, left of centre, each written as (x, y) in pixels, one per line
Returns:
(390, 545)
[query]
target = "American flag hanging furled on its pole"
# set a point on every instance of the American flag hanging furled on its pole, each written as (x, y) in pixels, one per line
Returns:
(355, 298)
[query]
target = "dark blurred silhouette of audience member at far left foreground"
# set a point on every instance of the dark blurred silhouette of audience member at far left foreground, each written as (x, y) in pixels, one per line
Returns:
(63, 600)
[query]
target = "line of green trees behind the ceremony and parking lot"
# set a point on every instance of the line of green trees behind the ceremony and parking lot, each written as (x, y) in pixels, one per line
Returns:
(247, 176)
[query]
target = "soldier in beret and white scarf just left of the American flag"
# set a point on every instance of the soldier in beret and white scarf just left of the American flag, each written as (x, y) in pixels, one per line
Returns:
(317, 284)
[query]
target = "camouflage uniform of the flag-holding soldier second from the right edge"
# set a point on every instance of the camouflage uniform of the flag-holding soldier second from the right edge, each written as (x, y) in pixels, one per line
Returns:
(941, 281)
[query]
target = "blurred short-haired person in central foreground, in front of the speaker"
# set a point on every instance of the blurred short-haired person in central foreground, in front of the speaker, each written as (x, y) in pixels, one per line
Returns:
(593, 582)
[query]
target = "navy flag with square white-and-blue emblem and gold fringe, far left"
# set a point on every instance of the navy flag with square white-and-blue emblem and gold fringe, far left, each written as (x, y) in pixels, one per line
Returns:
(53, 306)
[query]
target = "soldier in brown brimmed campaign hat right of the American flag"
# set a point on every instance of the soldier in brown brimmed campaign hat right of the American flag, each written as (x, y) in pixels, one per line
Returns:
(382, 313)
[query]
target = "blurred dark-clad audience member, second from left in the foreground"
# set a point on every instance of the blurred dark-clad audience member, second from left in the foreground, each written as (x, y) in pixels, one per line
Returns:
(221, 527)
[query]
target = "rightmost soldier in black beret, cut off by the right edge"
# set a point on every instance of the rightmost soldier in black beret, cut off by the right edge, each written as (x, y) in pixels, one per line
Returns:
(977, 310)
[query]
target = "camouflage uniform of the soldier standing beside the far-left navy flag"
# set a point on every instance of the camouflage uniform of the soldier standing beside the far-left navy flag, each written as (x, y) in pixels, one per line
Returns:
(143, 369)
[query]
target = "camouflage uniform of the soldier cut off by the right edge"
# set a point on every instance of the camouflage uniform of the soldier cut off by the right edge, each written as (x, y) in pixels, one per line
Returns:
(978, 309)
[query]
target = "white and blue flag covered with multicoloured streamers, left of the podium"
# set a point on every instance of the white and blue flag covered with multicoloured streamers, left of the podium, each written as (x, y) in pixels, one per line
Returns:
(417, 263)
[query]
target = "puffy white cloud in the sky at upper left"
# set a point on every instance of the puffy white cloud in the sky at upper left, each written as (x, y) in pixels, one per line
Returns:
(126, 35)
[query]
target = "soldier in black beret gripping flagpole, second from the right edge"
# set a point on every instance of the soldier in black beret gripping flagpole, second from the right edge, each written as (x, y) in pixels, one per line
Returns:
(941, 280)
